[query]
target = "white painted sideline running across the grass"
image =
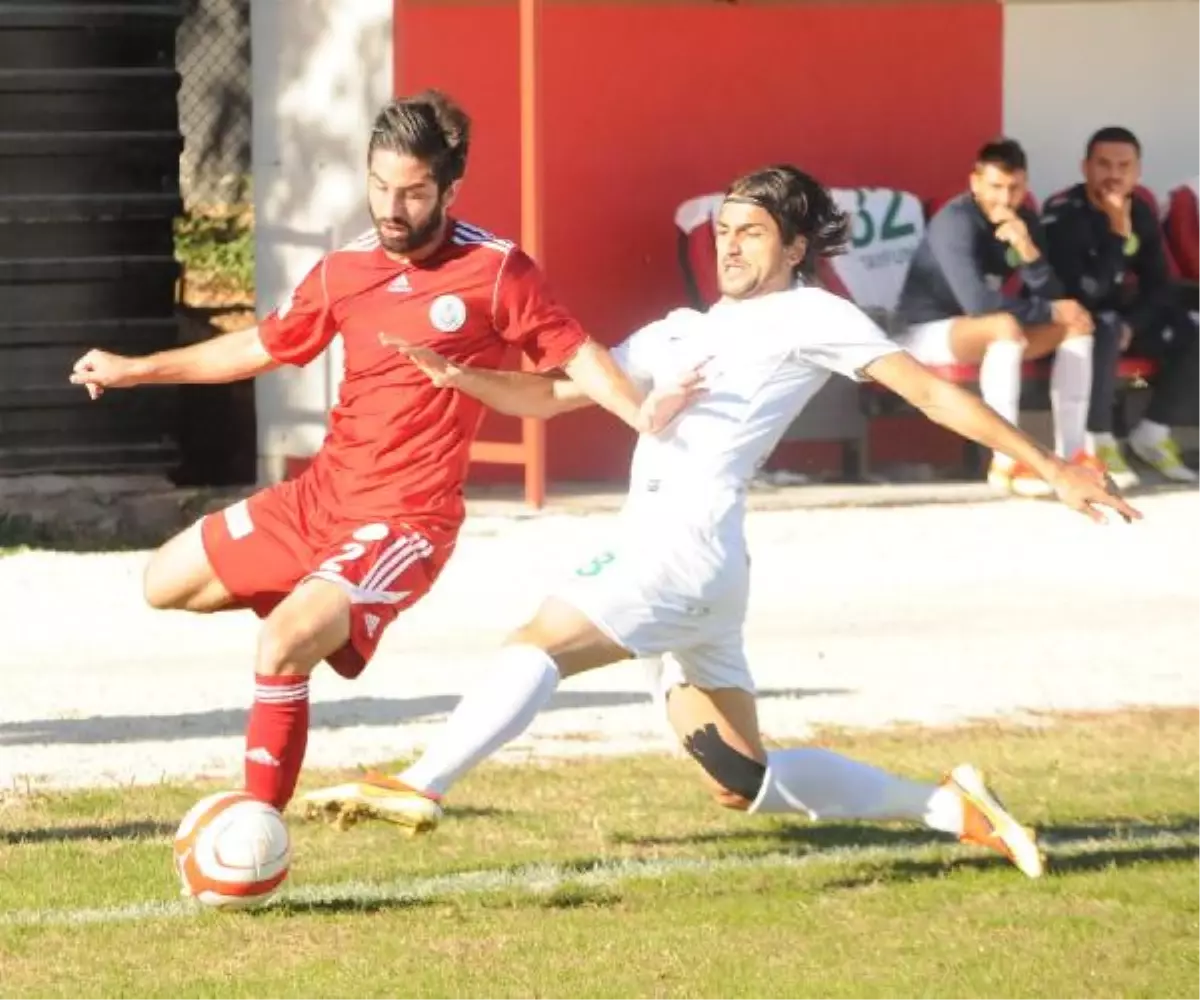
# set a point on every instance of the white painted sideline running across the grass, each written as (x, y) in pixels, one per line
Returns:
(542, 879)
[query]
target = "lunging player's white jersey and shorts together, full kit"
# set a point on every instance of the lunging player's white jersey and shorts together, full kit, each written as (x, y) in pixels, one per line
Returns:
(676, 579)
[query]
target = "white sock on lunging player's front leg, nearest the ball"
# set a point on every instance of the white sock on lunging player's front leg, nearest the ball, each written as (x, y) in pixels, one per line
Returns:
(518, 687)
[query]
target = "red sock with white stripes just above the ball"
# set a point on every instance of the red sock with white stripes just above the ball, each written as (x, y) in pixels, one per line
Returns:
(277, 738)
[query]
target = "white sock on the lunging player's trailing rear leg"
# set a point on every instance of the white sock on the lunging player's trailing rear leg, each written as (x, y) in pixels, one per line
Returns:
(830, 787)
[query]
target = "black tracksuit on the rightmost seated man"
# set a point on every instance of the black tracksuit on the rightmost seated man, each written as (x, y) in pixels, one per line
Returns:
(1126, 283)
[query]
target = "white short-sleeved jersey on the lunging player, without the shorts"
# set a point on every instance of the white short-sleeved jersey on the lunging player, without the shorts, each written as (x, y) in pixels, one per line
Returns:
(770, 357)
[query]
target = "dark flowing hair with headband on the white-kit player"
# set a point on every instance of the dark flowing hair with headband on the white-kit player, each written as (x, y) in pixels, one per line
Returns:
(801, 207)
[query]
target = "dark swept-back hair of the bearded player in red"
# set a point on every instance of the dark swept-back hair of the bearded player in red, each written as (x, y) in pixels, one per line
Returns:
(428, 127)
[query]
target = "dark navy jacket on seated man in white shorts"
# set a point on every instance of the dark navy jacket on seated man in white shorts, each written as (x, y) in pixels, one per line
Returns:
(962, 270)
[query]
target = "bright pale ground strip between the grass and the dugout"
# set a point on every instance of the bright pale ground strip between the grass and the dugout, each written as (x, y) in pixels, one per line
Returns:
(872, 606)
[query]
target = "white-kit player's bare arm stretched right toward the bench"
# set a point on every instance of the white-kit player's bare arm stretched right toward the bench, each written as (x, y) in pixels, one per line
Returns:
(959, 411)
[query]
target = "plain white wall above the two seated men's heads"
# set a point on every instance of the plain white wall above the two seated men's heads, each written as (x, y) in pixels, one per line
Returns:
(1071, 69)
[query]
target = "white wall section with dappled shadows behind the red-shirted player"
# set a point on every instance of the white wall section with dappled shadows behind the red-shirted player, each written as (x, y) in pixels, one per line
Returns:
(321, 71)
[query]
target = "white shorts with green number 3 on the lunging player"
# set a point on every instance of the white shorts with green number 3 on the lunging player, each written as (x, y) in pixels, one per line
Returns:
(651, 604)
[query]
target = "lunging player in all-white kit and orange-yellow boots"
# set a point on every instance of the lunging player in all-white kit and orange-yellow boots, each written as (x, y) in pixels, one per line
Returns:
(675, 582)
